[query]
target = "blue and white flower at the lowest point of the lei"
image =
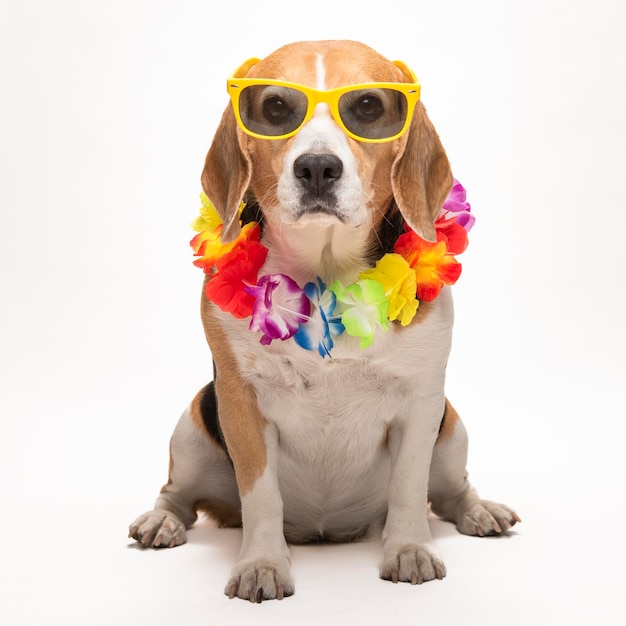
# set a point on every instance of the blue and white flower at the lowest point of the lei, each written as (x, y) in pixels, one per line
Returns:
(317, 333)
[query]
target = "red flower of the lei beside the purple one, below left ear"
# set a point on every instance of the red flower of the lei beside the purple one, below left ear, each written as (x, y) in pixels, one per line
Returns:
(234, 271)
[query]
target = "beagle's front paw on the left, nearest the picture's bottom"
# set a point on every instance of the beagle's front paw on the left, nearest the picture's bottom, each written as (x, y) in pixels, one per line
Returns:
(260, 580)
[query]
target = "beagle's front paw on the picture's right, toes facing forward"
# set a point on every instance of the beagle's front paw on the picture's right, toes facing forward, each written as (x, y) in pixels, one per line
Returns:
(413, 563)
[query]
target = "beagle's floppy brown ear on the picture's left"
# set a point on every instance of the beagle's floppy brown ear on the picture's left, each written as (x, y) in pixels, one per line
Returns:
(227, 172)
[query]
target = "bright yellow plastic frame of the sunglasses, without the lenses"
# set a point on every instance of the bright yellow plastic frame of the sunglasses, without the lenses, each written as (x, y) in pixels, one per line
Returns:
(238, 82)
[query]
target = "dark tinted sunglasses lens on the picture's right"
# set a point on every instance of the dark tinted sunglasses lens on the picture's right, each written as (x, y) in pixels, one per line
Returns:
(376, 113)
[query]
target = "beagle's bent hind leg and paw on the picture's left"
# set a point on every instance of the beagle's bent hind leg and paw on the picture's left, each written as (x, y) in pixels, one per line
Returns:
(201, 478)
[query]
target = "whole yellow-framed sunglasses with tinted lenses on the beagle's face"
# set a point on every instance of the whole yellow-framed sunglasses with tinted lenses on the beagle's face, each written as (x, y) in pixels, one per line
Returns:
(275, 109)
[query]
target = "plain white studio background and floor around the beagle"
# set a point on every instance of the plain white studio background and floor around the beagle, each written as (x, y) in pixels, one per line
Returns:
(106, 112)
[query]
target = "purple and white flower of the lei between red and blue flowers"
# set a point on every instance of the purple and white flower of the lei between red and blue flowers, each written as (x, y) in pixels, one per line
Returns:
(280, 307)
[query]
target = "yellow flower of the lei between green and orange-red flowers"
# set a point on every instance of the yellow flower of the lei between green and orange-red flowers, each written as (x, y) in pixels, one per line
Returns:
(398, 280)
